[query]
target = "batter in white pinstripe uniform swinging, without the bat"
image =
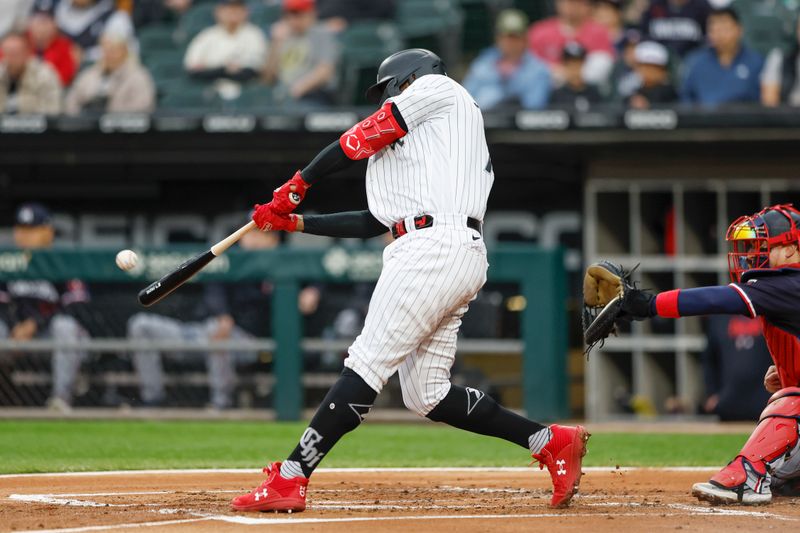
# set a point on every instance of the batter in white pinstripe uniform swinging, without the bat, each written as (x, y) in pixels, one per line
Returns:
(428, 180)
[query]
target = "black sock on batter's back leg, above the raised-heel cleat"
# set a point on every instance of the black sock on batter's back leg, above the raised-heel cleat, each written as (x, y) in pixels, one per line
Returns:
(476, 411)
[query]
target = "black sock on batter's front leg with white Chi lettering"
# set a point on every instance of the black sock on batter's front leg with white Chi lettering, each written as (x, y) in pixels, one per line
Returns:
(342, 410)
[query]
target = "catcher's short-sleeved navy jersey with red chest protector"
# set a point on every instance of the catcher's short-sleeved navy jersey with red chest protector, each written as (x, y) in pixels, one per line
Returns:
(773, 295)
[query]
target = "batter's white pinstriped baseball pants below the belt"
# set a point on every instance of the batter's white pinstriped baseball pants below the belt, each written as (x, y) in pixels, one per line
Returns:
(429, 277)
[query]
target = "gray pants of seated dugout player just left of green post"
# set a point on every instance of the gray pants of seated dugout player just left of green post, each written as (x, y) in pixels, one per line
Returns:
(221, 365)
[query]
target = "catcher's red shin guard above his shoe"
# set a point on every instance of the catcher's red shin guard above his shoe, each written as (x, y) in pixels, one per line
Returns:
(774, 437)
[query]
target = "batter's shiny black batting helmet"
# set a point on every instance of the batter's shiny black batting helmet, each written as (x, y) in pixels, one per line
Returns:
(401, 67)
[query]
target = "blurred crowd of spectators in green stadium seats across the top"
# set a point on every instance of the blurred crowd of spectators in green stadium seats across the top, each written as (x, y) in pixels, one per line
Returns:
(75, 56)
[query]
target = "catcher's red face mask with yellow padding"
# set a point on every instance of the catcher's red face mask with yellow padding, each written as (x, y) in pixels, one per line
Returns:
(752, 237)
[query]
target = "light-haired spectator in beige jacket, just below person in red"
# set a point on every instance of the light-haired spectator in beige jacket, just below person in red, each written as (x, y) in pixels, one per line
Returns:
(116, 83)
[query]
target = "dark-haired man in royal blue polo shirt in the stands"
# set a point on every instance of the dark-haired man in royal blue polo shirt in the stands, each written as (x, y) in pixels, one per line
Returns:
(725, 72)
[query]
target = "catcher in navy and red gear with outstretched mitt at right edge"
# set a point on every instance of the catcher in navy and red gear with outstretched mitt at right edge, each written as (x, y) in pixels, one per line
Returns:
(764, 264)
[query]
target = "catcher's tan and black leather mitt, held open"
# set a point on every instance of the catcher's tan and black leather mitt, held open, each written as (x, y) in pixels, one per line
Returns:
(609, 297)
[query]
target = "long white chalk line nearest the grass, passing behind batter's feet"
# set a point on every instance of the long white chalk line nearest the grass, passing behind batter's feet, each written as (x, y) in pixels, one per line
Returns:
(411, 470)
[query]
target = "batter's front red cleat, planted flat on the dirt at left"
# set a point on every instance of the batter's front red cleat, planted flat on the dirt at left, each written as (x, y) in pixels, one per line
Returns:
(274, 494)
